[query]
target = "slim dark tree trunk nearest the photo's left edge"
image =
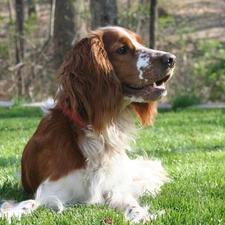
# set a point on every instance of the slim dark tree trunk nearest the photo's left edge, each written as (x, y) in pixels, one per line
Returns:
(19, 45)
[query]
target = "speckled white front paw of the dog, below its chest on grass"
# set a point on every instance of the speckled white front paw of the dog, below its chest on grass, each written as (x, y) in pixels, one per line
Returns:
(137, 214)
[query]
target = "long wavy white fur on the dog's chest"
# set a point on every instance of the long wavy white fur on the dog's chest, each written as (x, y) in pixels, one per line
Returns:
(106, 161)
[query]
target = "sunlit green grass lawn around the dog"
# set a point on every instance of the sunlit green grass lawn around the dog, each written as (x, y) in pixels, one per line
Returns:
(190, 143)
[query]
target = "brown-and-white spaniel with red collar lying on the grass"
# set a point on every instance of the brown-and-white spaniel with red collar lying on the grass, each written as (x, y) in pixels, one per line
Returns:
(78, 153)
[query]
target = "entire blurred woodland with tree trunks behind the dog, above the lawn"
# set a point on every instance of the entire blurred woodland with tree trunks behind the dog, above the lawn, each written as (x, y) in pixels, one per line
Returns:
(35, 35)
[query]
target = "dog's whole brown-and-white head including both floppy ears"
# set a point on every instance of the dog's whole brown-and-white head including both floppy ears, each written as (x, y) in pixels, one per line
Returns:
(111, 68)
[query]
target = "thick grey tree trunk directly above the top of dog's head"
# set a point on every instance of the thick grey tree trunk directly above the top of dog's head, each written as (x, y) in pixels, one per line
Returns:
(103, 12)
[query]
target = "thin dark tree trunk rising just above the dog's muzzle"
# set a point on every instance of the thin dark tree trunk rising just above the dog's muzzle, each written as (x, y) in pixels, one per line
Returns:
(153, 22)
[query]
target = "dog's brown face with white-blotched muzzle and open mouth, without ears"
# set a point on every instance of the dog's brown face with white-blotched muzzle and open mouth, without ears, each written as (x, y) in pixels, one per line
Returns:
(141, 71)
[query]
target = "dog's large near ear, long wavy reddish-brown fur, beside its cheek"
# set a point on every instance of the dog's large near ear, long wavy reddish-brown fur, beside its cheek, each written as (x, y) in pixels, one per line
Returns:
(89, 86)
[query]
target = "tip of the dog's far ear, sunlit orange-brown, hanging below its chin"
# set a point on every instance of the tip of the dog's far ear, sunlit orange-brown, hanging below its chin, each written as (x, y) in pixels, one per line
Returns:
(146, 112)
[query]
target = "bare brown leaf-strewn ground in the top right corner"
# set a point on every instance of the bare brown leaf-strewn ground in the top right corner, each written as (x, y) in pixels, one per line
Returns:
(205, 18)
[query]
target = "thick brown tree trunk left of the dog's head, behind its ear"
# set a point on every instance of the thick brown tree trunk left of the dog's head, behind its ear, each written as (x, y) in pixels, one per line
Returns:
(64, 30)
